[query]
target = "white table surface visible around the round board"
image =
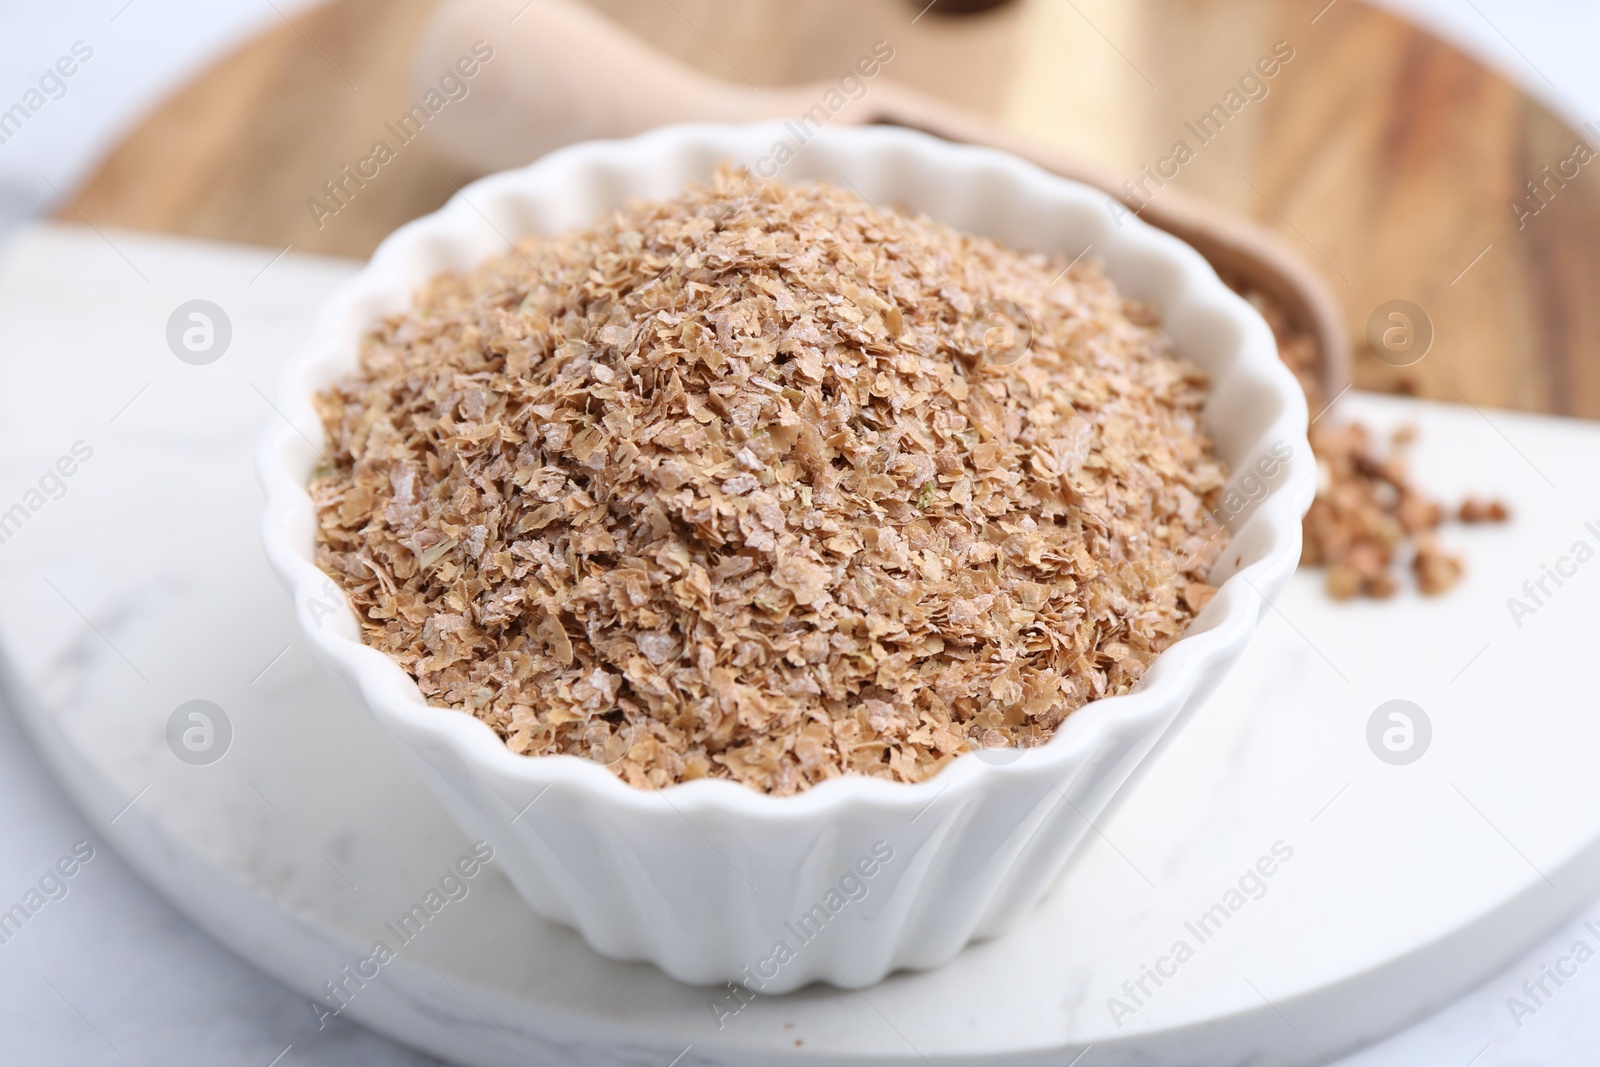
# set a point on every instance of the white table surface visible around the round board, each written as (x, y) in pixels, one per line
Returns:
(110, 975)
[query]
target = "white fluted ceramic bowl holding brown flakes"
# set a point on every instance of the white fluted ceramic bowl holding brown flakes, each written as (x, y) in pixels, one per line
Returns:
(855, 877)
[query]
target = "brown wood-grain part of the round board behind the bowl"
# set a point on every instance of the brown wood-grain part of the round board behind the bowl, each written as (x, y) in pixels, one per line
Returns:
(1390, 159)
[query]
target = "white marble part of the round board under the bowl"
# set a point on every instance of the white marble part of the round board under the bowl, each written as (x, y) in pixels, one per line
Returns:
(138, 585)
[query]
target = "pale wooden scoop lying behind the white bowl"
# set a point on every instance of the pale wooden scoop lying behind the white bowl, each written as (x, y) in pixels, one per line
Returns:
(564, 74)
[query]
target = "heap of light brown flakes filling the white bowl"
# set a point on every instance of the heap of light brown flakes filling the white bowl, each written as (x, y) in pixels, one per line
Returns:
(769, 484)
